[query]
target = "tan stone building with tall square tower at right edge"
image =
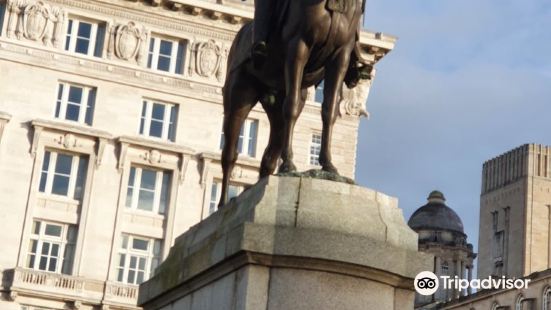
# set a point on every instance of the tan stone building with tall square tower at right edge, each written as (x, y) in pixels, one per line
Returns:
(515, 230)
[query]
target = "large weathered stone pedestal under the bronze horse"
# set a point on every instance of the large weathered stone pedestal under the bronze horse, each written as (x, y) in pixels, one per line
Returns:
(293, 243)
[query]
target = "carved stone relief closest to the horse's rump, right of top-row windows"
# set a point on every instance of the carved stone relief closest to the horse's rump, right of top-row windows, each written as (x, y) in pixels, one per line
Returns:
(208, 60)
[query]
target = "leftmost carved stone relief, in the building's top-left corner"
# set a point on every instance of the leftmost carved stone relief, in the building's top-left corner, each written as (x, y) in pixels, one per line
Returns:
(35, 21)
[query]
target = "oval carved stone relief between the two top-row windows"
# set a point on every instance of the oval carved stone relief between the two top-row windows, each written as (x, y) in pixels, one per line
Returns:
(128, 42)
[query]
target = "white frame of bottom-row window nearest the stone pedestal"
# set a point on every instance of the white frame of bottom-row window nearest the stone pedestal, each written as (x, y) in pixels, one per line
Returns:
(126, 248)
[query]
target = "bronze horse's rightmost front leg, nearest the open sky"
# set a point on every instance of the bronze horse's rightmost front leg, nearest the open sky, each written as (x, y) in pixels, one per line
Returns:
(334, 77)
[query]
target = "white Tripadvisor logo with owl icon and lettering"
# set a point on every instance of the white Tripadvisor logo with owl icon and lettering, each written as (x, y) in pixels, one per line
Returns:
(427, 283)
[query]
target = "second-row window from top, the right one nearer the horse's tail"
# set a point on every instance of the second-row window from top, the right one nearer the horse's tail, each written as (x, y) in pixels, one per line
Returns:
(158, 120)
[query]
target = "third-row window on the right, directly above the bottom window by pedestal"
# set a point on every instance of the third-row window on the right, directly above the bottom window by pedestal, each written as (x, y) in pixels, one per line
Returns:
(148, 189)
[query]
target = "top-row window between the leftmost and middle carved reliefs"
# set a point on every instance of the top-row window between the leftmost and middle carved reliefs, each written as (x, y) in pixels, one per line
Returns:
(85, 37)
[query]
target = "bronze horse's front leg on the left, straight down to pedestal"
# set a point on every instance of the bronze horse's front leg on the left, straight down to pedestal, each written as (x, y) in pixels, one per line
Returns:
(296, 59)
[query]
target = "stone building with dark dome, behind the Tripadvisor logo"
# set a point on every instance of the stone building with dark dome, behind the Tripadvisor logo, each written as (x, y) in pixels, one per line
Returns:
(441, 234)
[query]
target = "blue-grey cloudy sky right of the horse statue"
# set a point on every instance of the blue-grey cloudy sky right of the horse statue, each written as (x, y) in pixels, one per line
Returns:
(468, 80)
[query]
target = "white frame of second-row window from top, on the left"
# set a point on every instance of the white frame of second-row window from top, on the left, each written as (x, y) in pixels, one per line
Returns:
(85, 117)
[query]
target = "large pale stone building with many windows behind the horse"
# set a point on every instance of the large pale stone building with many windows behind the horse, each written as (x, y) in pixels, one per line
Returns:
(110, 132)
